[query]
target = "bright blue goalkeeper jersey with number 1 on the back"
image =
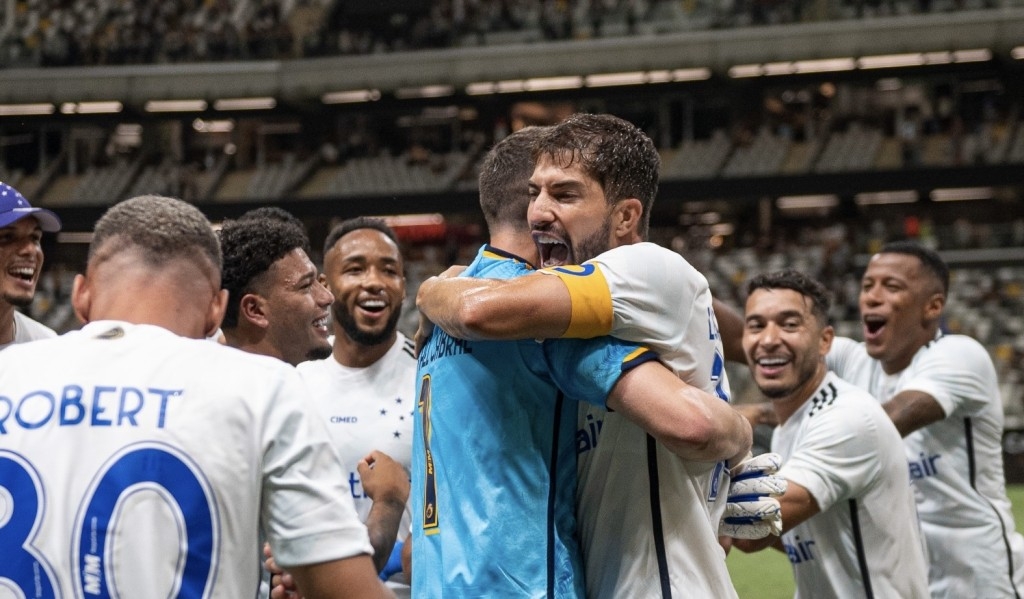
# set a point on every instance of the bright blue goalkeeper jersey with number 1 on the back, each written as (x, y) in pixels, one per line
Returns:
(495, 457)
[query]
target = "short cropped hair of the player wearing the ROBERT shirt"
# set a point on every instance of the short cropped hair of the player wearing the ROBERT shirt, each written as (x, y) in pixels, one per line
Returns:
(159, 229)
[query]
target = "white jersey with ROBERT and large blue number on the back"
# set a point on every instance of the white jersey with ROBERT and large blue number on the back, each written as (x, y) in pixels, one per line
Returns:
(137, 463)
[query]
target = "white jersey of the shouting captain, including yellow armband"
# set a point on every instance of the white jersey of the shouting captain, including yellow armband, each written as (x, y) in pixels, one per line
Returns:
(649, 521)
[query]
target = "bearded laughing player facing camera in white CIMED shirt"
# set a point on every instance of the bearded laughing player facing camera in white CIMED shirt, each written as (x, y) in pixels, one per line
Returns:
(366, 391)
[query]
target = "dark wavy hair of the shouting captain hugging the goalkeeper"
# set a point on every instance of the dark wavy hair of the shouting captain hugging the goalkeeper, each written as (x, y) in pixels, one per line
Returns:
(614, 152)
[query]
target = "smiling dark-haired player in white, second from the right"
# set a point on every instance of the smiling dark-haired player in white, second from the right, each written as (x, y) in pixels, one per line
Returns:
(850, 529)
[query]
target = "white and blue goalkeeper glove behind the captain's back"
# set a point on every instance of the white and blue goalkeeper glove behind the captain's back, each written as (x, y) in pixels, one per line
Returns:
(752, 510)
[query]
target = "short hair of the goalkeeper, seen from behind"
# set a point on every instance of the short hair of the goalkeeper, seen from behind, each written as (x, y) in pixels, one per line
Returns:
(504, 180)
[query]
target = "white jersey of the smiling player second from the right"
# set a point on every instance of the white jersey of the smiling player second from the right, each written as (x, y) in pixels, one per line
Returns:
(866, 542)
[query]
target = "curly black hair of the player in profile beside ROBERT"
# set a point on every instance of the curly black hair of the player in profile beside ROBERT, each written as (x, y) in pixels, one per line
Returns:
(251, 246)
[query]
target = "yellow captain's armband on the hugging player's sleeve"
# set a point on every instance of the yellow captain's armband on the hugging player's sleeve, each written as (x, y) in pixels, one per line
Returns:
(591, 298)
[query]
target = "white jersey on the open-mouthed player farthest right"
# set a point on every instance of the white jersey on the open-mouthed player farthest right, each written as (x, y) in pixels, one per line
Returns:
(956, 464)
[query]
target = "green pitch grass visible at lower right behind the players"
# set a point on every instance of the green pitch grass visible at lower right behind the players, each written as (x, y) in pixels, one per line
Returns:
(767, 575)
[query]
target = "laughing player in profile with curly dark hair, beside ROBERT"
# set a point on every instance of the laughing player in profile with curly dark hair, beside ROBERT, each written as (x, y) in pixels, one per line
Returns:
(277, 305)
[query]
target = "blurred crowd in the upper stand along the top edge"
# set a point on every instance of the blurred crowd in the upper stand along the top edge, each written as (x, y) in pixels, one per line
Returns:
(55, 33)
